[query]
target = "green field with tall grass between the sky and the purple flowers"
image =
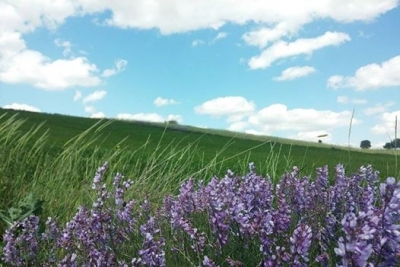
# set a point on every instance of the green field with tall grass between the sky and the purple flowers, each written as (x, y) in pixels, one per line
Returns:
(53, 157)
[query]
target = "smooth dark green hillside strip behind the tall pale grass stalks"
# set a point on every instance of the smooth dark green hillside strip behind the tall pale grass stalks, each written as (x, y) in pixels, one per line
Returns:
(230, 147)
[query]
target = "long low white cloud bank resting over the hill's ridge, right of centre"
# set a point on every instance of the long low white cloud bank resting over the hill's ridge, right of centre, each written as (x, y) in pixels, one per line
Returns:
(277, 119)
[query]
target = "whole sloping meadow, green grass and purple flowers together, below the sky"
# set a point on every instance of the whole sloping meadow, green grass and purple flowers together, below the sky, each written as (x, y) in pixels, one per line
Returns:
(182, 214)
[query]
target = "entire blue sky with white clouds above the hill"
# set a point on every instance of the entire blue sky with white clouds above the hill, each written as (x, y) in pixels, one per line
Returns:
(287, 68)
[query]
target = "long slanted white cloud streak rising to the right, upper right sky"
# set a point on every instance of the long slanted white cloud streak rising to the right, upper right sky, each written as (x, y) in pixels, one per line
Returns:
(281, 49)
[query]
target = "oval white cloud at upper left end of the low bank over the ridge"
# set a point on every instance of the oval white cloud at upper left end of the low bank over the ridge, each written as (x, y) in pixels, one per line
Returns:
(230, 105)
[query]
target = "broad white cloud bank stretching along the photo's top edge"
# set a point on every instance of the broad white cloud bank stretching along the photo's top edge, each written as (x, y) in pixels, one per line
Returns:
(173, 16)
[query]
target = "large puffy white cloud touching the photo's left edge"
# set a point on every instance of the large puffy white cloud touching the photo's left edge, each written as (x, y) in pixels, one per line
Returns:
(18, 64)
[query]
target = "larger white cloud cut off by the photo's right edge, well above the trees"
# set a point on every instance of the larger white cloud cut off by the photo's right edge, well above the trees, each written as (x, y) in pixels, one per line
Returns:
(372, 76)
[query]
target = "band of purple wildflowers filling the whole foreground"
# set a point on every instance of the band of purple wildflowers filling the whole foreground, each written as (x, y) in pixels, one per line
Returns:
(231, 221)
